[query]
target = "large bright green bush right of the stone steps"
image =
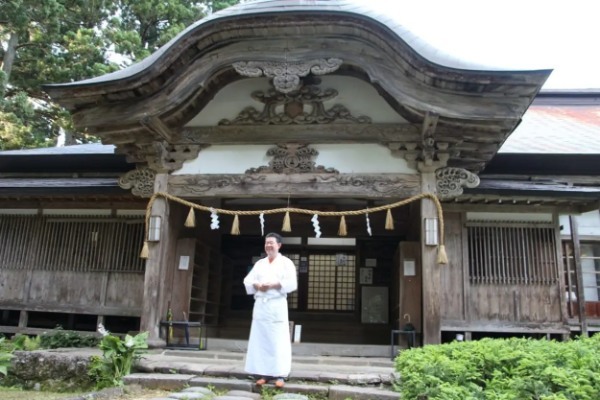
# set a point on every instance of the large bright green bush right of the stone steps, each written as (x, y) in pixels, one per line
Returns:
(502, 369)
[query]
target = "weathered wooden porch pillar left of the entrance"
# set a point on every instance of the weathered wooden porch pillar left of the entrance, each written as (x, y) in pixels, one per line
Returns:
(156, 267)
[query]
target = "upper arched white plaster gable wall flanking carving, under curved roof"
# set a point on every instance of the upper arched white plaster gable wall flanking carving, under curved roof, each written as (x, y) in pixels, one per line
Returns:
(356, 95)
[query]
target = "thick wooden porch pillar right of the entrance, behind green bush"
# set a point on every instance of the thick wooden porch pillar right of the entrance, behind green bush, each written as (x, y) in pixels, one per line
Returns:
(431, 270)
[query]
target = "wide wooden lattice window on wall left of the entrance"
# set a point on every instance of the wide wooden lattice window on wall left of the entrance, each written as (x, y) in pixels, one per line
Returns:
(71, 243)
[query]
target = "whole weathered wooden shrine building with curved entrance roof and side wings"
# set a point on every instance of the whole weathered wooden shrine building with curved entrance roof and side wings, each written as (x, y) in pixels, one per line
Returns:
(324, 106)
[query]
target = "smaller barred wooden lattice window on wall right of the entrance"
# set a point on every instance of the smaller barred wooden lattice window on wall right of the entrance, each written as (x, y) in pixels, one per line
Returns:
(512, 253)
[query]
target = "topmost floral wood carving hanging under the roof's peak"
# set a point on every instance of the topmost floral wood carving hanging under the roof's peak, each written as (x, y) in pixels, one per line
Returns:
(286, 75)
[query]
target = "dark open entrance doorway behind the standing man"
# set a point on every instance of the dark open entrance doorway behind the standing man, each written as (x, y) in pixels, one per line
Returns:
(346, 287)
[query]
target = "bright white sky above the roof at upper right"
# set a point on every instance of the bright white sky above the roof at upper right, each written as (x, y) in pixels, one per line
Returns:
(516, 34)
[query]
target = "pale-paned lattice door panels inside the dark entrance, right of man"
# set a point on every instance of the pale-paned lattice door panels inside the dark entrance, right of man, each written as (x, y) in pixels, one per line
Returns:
(331, 287)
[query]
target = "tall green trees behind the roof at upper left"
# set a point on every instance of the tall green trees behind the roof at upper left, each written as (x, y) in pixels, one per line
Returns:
(51, 41)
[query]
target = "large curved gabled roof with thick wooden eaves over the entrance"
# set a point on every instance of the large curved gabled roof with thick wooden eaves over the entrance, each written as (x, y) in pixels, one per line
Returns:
(170, 87)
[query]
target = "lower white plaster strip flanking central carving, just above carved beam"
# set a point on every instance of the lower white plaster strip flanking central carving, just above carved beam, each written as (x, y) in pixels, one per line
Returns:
(346, 158)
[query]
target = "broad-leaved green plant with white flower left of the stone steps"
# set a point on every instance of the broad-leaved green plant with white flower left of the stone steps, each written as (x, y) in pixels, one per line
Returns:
(118, 356)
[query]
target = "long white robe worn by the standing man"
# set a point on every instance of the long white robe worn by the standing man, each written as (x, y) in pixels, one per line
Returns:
(269, 347)
